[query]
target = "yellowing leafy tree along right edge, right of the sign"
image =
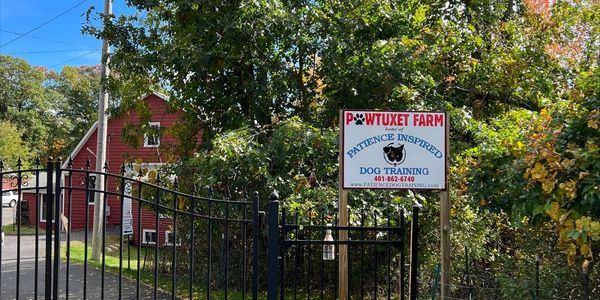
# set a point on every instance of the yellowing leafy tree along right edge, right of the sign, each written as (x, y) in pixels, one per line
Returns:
(544, 166)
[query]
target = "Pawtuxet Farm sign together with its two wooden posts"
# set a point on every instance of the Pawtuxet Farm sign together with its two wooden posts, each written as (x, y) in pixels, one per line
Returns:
(398, 151)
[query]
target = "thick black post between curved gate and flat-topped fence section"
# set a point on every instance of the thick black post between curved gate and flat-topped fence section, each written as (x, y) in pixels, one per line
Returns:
(273, 246)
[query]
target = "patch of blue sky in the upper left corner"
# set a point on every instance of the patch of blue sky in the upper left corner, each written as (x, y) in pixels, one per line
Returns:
(58, 43)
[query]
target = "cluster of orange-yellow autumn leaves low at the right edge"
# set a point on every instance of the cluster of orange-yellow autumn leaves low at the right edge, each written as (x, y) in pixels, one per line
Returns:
(554, 171)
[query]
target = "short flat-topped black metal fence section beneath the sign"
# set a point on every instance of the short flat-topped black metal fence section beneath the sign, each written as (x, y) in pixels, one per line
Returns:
(301, 263)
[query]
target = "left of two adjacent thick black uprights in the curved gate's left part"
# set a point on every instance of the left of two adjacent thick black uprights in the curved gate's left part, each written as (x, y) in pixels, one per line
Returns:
(48, 213)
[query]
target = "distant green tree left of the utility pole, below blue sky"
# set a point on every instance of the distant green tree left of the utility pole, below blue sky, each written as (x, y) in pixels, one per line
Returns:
(51, 110)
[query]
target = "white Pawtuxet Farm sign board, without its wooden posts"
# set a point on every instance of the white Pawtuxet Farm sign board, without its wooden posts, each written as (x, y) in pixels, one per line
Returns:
(394, 150)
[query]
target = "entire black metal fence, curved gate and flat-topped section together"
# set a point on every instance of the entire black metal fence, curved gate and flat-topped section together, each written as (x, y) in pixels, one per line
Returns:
(183, 246)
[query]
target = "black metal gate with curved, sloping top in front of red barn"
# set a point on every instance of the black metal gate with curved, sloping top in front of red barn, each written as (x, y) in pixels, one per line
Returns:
(183, 246)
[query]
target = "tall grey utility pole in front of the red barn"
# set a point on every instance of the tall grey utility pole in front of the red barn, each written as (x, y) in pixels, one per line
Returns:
(101, 138)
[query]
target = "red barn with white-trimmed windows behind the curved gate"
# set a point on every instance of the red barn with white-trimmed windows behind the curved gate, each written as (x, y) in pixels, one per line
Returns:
(118, 153)
